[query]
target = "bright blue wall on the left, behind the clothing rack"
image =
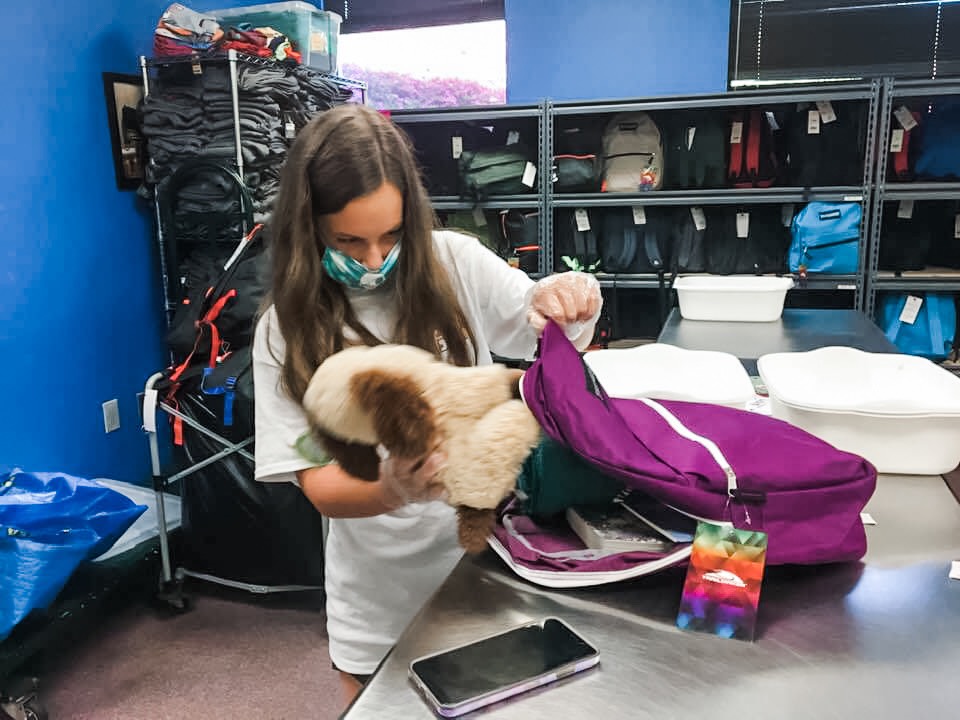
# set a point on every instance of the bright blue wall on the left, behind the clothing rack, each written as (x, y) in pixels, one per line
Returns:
(80, 304)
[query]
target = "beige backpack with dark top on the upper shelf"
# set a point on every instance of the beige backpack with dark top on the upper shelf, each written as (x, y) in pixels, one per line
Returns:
(632, 154)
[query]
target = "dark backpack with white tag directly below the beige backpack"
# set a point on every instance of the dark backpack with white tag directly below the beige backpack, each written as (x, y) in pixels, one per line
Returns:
(628, 245)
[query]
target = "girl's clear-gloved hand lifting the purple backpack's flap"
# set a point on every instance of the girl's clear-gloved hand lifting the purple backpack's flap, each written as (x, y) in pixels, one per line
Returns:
(572, 300)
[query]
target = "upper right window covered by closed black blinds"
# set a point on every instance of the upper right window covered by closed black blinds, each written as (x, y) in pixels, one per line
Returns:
(804, 40)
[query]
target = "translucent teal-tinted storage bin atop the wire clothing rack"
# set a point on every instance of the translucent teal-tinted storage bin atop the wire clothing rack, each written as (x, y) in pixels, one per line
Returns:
(315, 33)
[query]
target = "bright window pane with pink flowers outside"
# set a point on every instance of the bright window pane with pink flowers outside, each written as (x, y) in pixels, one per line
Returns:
(450, 65)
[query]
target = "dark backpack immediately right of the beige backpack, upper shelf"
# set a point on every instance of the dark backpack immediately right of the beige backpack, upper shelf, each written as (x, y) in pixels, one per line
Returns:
(694, 150)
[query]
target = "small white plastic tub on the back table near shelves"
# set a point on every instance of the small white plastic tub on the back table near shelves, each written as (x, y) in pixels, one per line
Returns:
(740, 298)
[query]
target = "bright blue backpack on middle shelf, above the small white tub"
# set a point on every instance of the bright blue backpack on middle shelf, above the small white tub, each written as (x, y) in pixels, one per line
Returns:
(825, 238)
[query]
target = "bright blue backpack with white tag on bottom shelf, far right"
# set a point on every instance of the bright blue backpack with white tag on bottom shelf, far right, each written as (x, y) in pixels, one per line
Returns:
(931, 335)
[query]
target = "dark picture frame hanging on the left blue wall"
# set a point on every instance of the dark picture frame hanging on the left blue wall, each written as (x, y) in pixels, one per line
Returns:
(123, 93)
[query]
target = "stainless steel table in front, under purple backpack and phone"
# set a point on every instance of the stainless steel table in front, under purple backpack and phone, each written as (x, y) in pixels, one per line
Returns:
(877, 639)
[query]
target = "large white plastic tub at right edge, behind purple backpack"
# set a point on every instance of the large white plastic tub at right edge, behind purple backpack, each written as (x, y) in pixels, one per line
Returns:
(900, 412)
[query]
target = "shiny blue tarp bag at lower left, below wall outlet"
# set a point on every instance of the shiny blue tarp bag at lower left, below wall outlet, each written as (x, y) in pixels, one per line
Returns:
(49, 524)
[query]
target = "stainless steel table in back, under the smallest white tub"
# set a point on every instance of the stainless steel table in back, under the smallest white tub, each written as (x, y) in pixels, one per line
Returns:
(797, 330)
